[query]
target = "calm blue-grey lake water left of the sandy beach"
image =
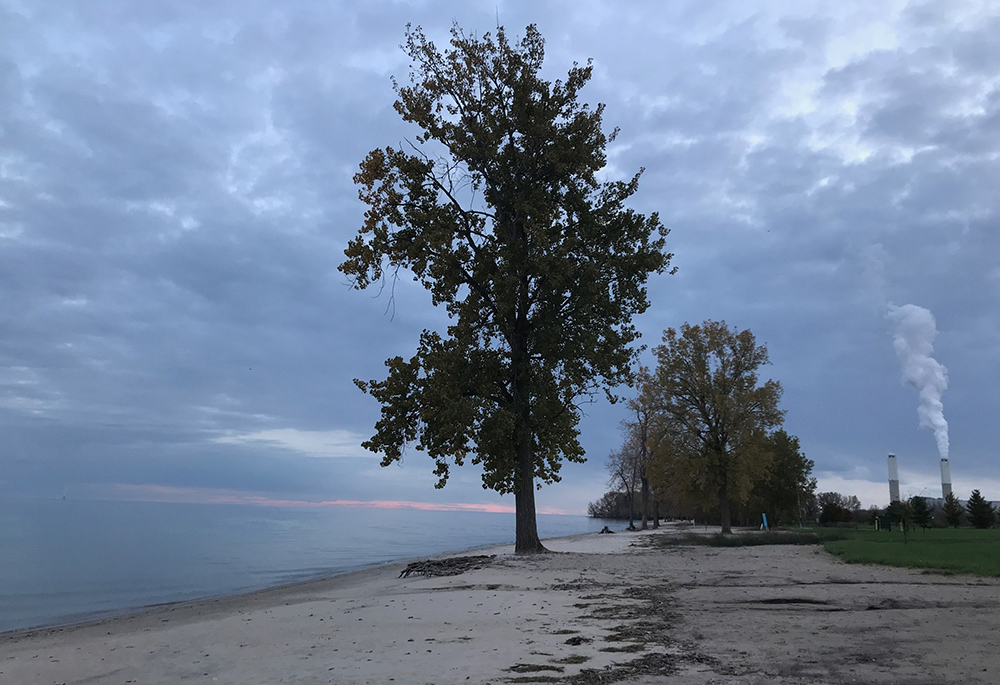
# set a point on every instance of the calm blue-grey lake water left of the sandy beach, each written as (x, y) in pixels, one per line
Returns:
(65, 560)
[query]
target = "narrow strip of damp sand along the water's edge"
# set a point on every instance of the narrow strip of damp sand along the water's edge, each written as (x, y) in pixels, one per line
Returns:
(97, 618)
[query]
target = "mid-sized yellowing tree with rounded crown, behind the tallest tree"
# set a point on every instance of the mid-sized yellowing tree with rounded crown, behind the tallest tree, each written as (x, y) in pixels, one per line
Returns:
(717, 413)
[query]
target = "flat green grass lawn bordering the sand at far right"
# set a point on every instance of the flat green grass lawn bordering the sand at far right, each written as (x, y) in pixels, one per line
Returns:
(961, 550)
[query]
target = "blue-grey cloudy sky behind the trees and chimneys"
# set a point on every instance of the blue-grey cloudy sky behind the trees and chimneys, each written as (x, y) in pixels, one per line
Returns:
(176, 194)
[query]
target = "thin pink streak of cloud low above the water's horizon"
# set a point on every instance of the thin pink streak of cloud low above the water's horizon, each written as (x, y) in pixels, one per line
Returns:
(166, 493)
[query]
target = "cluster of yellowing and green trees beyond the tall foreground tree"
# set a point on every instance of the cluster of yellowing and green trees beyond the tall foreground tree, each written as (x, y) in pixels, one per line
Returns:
(704, 437)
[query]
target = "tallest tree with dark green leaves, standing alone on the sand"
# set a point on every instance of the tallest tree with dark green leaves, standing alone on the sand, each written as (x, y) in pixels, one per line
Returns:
(496, 209)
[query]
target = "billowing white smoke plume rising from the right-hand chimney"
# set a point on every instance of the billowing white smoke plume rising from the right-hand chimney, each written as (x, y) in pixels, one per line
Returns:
(914, 343)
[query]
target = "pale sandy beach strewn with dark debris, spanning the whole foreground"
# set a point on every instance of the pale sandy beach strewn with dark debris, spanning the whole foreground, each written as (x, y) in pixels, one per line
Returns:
(599, 609)
